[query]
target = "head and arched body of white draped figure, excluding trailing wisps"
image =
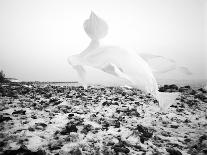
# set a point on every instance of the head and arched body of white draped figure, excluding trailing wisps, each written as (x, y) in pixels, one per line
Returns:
(121, 63)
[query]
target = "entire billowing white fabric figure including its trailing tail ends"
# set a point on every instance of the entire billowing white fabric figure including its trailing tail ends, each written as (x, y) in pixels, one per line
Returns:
(123, 66)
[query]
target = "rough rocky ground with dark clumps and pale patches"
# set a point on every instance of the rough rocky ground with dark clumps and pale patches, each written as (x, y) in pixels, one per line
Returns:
(41, 120)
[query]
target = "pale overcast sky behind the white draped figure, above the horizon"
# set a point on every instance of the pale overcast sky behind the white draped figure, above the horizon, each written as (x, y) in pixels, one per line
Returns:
(37, 36)
